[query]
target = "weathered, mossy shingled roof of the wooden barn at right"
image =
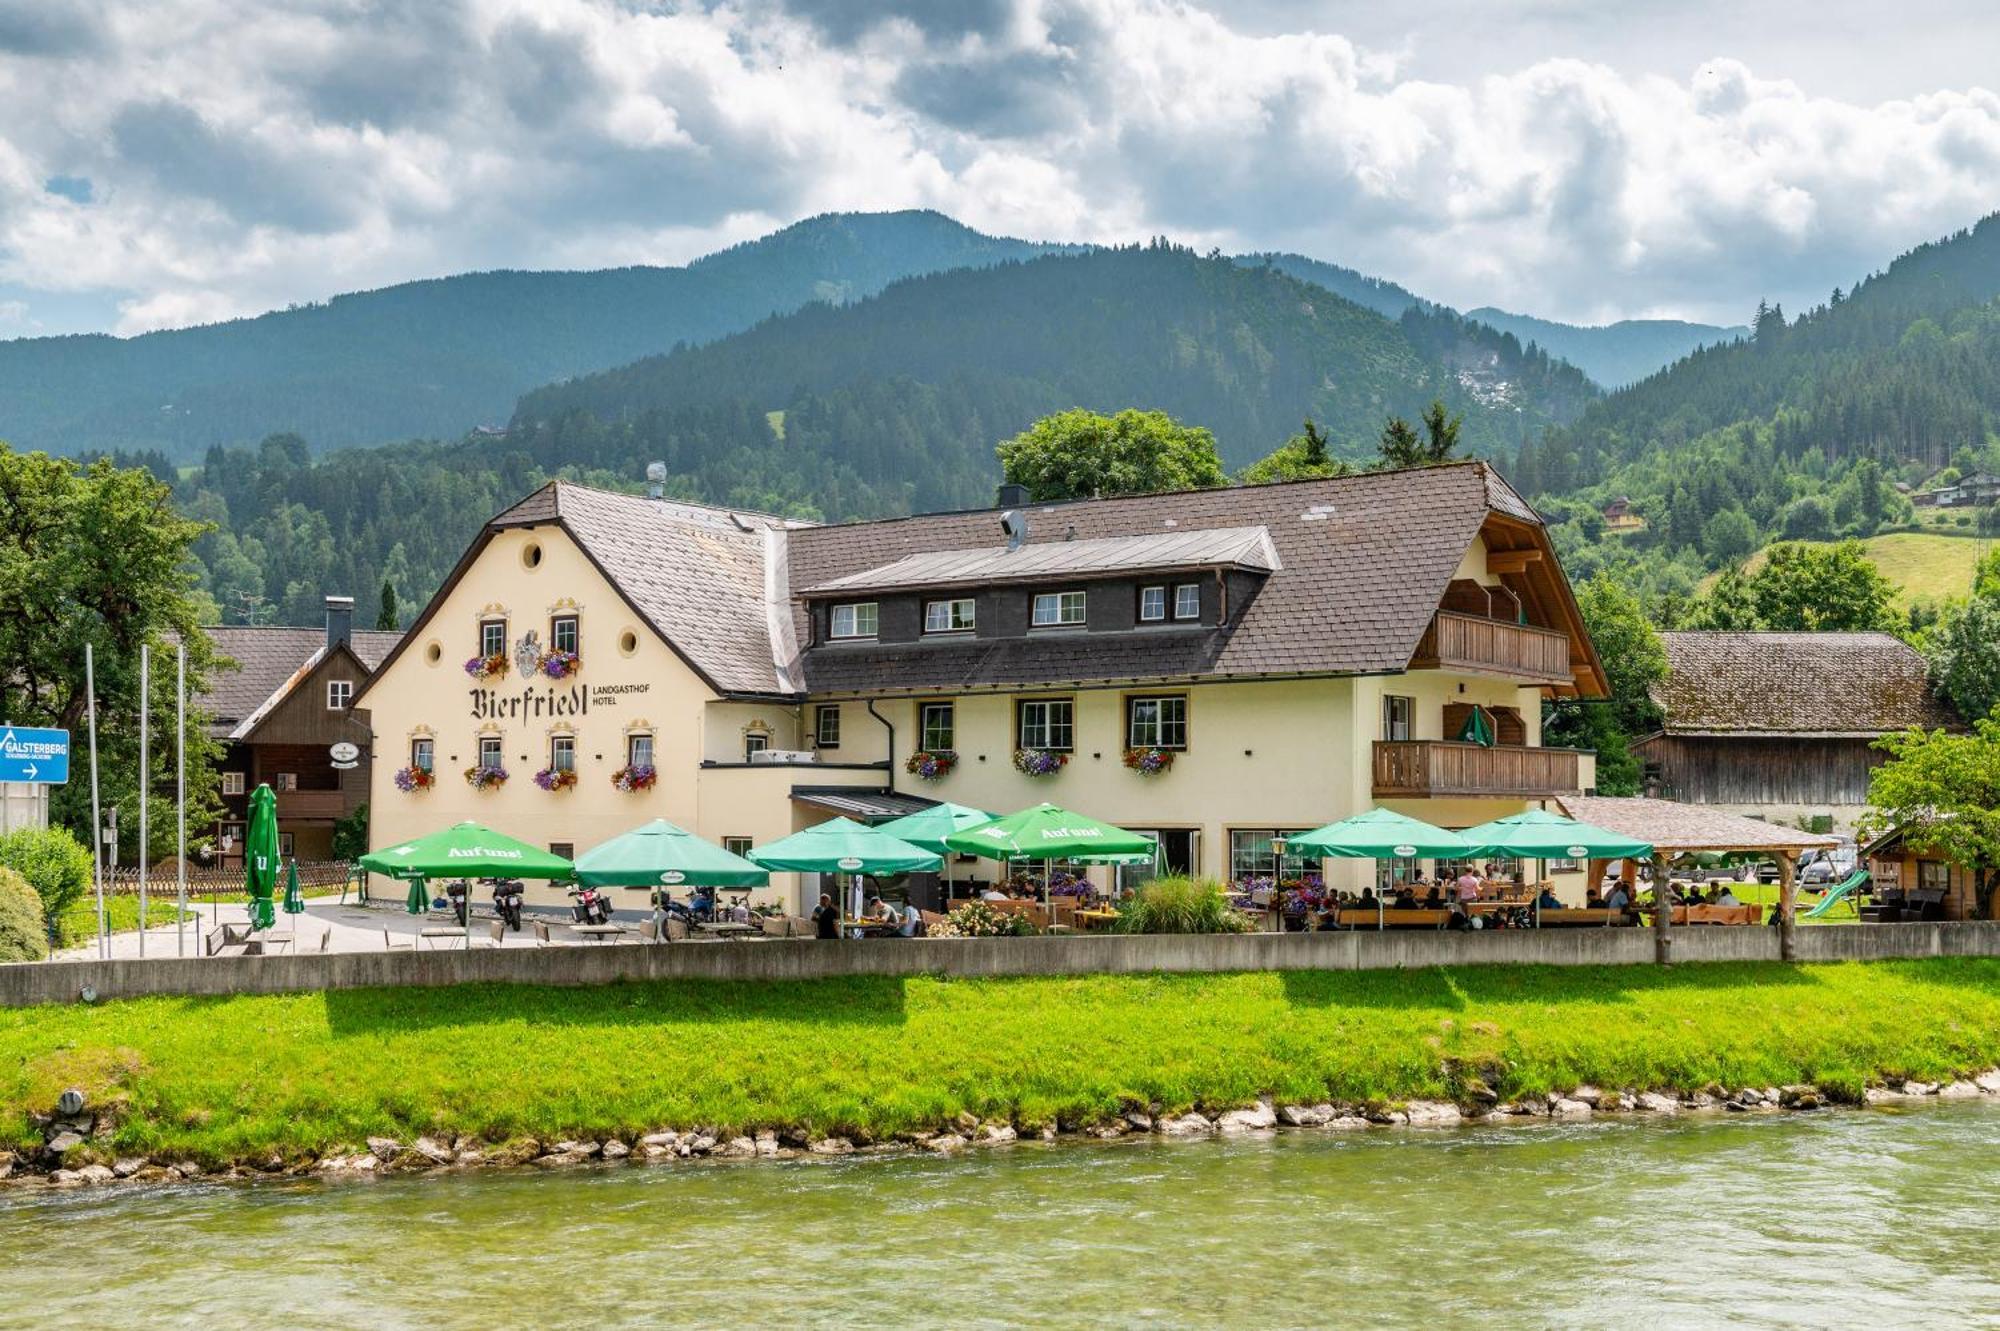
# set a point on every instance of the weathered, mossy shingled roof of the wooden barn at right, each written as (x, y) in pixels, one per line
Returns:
(1833, 686)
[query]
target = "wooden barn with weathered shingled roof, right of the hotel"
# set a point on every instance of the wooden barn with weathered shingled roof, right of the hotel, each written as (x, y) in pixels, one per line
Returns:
(1783, 726)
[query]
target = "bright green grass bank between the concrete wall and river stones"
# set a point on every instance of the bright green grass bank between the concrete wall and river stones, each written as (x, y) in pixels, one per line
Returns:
(239, 1078)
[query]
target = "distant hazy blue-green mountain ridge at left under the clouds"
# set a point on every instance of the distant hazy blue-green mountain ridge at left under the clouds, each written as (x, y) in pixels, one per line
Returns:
(447, 355)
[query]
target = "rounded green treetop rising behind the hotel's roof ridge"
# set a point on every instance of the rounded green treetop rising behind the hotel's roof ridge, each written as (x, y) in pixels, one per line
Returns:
(1077, 455)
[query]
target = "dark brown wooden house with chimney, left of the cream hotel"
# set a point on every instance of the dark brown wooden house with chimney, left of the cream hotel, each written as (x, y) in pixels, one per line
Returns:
(279, 706)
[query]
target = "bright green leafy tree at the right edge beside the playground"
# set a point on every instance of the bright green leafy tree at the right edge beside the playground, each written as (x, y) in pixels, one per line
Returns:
(1945, 792)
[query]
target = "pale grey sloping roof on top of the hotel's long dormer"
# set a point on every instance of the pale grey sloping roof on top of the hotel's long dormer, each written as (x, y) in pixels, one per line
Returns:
(1063, 559)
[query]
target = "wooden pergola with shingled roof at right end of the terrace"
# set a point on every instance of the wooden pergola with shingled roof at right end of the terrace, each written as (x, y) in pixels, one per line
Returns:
(1677, 828)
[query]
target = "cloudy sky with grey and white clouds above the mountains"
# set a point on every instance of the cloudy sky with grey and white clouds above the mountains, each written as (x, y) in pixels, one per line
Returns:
(181, 161)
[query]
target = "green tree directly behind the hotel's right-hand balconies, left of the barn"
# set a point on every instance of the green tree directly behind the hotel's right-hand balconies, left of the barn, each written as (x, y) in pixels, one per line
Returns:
(1635, 663)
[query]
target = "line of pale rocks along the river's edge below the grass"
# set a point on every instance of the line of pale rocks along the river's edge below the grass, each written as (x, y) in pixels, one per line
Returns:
(75, 1136)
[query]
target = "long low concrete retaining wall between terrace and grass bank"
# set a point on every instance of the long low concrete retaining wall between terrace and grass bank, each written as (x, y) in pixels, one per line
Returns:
(63, 982)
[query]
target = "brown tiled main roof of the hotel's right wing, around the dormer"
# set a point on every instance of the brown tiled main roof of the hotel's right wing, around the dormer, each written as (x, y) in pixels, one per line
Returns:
(1363, 563)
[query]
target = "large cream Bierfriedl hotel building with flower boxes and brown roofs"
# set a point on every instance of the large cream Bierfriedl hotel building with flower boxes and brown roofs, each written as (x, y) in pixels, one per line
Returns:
(1217, 668)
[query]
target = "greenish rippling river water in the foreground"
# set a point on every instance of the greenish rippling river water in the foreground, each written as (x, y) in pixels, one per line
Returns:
(1869, 1218)
